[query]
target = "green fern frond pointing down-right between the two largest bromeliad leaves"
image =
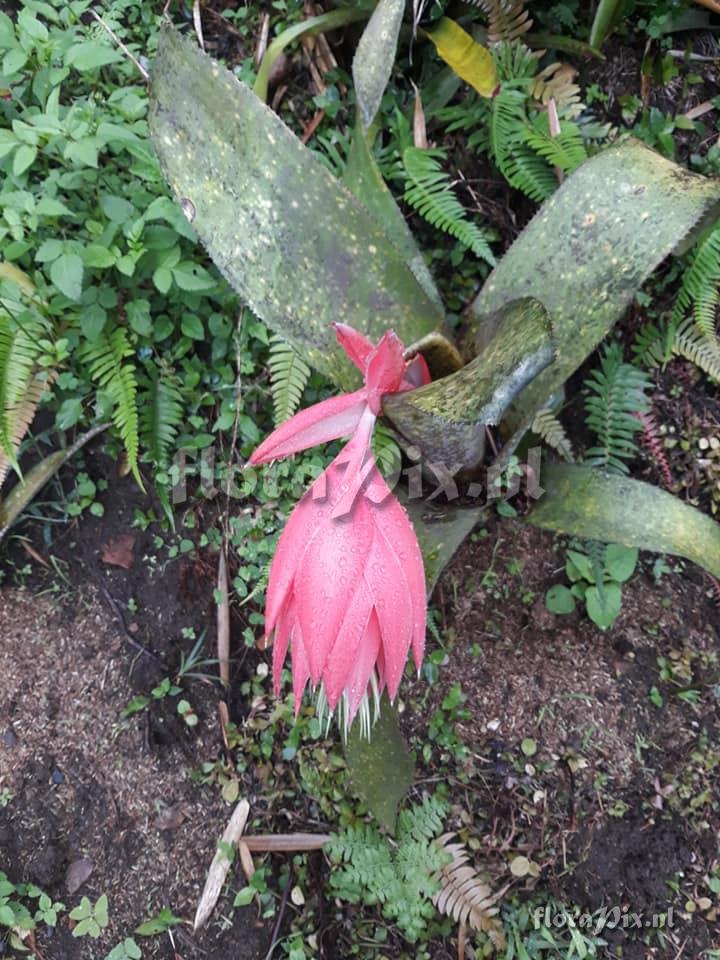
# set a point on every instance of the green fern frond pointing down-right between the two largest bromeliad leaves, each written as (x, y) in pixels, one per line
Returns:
(428, 190)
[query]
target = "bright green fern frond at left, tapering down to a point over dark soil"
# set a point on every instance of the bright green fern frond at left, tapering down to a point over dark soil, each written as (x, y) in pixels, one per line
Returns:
(106, 358)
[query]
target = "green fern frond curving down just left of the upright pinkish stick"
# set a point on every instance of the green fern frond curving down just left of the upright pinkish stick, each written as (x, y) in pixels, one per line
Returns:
(515, 159)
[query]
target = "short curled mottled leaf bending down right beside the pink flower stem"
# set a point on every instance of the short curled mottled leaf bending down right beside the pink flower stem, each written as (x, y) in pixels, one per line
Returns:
(446, 419)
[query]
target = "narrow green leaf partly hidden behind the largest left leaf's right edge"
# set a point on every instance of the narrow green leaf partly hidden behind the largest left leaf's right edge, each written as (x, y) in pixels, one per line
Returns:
(363, 178)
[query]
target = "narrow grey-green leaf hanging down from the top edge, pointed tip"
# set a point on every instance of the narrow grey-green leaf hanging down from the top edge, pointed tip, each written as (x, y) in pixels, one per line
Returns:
(375, 56)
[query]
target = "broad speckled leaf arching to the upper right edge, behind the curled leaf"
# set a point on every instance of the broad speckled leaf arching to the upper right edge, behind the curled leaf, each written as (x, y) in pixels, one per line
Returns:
(588, 251)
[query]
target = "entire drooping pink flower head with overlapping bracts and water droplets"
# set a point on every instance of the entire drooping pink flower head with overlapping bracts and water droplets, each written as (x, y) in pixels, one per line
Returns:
(346, 591)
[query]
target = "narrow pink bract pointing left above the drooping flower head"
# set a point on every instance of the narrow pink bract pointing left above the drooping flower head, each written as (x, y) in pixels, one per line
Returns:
(332, 418)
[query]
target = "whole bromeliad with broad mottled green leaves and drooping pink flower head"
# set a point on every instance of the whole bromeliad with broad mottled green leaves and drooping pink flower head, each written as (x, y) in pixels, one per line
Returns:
(305, 250)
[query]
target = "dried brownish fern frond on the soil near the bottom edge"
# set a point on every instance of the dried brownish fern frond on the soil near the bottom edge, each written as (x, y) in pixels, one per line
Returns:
(464, 896)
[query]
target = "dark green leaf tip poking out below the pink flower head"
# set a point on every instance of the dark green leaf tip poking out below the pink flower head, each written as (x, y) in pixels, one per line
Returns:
(381, 768)
